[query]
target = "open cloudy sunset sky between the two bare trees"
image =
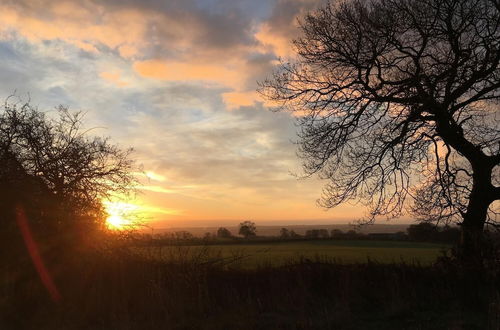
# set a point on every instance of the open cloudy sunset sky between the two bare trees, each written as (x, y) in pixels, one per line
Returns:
(176, 80)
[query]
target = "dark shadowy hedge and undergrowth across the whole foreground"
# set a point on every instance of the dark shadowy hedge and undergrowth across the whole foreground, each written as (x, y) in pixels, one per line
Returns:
(114, 289)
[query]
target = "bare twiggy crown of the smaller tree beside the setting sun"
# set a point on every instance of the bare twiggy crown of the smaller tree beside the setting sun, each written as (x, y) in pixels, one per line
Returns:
(73, 170)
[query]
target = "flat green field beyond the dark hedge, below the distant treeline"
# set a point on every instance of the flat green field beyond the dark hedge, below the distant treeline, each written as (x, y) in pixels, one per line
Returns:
(253, 255)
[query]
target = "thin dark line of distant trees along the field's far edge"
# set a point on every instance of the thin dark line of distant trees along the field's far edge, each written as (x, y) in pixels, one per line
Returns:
(421, 232)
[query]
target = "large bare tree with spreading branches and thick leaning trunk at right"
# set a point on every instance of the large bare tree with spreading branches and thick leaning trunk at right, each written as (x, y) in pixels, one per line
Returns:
(399, 99)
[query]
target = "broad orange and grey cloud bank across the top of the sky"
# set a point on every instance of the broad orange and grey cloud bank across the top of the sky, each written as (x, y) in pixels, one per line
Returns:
(230, 43)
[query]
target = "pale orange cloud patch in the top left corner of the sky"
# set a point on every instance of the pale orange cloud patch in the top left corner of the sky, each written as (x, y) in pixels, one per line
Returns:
(79, 25)
